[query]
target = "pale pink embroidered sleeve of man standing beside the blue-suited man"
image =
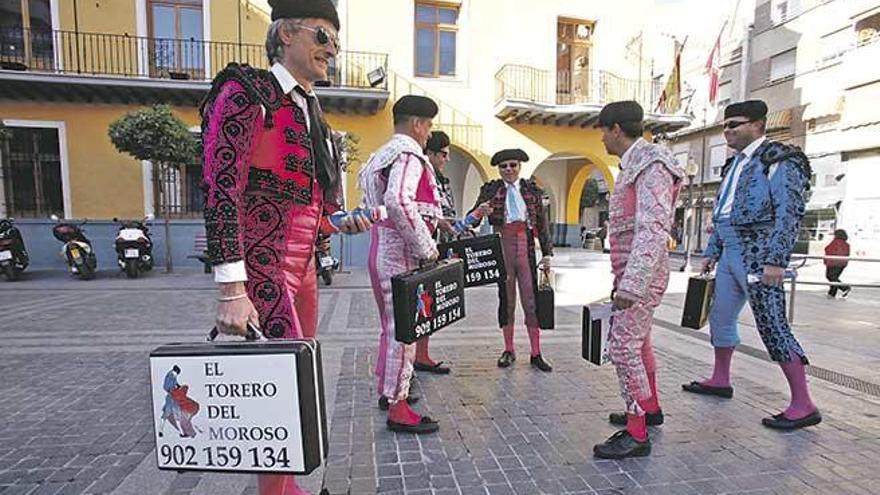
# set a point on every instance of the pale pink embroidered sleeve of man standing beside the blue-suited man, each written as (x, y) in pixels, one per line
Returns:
(654, 194)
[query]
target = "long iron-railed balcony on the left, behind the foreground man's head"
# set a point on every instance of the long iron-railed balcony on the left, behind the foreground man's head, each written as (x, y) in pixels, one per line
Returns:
(161, 60)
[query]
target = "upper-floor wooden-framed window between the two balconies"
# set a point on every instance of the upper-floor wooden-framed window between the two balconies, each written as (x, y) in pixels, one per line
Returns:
(436, 28)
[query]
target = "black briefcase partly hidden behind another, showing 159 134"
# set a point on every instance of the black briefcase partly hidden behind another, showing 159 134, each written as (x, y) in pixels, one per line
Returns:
(483, 258)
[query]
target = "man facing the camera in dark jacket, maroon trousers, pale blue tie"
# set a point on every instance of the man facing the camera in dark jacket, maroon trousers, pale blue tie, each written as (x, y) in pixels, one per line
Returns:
(515, 209)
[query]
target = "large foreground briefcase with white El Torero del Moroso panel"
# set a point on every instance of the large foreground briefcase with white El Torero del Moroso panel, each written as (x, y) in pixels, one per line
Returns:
(239, 407)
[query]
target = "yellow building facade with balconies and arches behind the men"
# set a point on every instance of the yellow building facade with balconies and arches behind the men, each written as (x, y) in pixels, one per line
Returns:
(505, 73)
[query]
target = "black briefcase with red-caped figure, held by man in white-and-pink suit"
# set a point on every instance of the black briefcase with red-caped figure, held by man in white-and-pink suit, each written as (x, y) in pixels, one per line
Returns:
(427, 299)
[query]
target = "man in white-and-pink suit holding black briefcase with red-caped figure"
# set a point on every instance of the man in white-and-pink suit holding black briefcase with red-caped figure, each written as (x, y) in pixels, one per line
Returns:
(399, 177)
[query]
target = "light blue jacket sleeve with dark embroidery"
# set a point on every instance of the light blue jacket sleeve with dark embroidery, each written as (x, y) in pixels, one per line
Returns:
(787, 186)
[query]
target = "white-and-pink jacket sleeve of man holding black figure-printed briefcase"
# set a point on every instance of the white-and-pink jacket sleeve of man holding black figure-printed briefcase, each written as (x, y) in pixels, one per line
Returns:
(400, 200)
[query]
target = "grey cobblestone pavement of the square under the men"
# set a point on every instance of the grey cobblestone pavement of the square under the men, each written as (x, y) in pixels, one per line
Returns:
(75, 400)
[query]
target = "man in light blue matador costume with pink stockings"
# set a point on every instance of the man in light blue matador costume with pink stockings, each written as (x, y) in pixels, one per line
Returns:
(757, 215)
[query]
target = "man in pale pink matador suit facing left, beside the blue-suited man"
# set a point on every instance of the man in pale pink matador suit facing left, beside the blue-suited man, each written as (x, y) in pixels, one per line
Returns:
(641, 211)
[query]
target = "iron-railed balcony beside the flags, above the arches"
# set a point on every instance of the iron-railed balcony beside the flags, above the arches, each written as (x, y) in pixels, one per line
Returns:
(530, 95)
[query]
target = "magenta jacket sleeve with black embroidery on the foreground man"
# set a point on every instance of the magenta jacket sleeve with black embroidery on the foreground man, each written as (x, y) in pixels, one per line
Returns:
(232, 124)
